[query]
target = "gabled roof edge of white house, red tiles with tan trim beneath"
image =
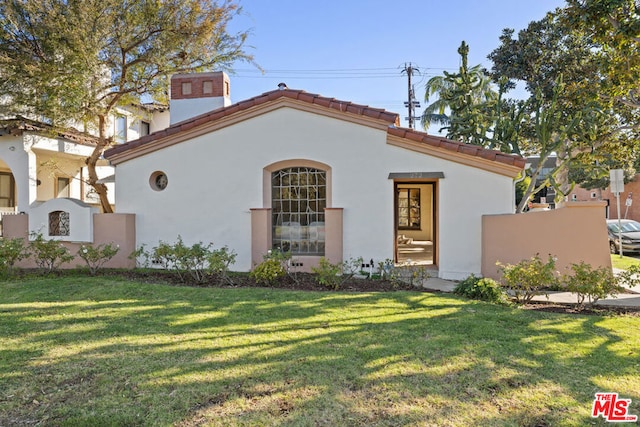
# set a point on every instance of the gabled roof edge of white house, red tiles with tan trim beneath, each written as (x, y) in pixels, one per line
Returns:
(470, 155)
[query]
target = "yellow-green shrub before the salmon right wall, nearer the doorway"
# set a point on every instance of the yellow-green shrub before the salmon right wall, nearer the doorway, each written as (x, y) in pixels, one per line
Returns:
(528, 278)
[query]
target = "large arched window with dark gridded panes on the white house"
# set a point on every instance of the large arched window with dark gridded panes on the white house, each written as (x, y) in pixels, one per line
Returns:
(298, 200)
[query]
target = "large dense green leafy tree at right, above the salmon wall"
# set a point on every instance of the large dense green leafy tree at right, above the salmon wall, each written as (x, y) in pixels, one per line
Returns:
(569, 46)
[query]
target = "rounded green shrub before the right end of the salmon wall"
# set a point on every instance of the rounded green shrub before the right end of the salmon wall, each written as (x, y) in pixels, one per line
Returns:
(591, 284)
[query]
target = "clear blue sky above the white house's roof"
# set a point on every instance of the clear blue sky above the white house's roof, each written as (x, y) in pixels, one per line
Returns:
(355, 50)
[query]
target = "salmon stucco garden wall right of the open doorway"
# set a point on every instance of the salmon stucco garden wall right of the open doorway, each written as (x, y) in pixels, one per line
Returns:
(574, 233)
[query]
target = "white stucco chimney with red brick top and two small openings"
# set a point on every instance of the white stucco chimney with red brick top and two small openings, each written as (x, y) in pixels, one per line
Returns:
(198, 93)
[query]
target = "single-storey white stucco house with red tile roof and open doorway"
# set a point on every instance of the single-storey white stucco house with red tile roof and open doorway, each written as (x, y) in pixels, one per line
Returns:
(312, 175)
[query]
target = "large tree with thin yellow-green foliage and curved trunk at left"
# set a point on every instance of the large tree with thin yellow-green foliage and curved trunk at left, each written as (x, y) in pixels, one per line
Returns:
(77, 60)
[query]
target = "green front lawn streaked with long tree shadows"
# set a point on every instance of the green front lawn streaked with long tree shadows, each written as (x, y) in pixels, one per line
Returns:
(78, 351)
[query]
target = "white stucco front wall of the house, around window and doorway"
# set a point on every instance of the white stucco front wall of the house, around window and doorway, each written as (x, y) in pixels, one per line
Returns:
(215, 179)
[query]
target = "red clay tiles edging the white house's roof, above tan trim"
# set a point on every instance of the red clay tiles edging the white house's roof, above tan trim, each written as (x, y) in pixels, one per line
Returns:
(343, 106)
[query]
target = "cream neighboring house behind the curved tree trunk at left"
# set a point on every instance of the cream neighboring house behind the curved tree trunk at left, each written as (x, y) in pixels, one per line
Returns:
(38, 163)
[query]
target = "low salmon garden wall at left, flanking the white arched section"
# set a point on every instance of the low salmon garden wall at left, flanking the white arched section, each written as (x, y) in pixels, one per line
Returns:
(118, 229)
